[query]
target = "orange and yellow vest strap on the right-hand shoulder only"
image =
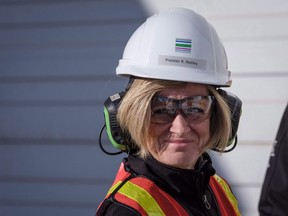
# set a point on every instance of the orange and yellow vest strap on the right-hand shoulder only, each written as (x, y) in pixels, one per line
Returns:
(225, 198)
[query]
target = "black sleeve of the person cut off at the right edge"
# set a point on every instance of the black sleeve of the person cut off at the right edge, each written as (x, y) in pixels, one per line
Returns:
(274, 195)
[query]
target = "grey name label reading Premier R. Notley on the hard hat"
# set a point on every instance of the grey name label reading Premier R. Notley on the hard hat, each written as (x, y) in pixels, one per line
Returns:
(182, 62)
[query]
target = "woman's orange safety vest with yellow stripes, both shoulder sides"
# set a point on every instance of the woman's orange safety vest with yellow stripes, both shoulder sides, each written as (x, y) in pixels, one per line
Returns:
(147, 198)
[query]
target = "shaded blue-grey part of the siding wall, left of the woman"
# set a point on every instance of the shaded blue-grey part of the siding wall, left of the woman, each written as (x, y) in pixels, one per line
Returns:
(57, 63)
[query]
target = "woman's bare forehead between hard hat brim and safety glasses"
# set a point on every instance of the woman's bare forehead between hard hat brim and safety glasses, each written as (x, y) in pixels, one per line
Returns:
(189, 89)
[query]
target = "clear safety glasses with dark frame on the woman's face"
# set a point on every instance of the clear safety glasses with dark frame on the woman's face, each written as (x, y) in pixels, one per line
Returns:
(194, 109)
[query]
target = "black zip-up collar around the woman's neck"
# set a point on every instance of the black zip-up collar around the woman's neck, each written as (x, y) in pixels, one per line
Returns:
(184, 182)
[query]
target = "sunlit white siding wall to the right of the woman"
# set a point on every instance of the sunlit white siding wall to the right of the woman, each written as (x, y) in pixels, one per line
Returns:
(255, 35)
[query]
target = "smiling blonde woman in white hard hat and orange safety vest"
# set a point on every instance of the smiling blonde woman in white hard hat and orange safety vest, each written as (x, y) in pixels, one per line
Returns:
(170, 115)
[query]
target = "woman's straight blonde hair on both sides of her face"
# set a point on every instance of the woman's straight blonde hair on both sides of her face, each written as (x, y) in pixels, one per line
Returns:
(134, 114)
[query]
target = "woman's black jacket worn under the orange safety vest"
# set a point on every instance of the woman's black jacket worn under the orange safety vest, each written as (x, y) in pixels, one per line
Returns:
(186, 186)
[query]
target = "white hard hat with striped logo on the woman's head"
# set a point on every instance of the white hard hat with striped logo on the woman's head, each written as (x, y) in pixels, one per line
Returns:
(179, 45)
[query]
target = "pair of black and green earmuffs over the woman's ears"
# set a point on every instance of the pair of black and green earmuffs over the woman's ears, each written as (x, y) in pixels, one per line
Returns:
(120, 140)
